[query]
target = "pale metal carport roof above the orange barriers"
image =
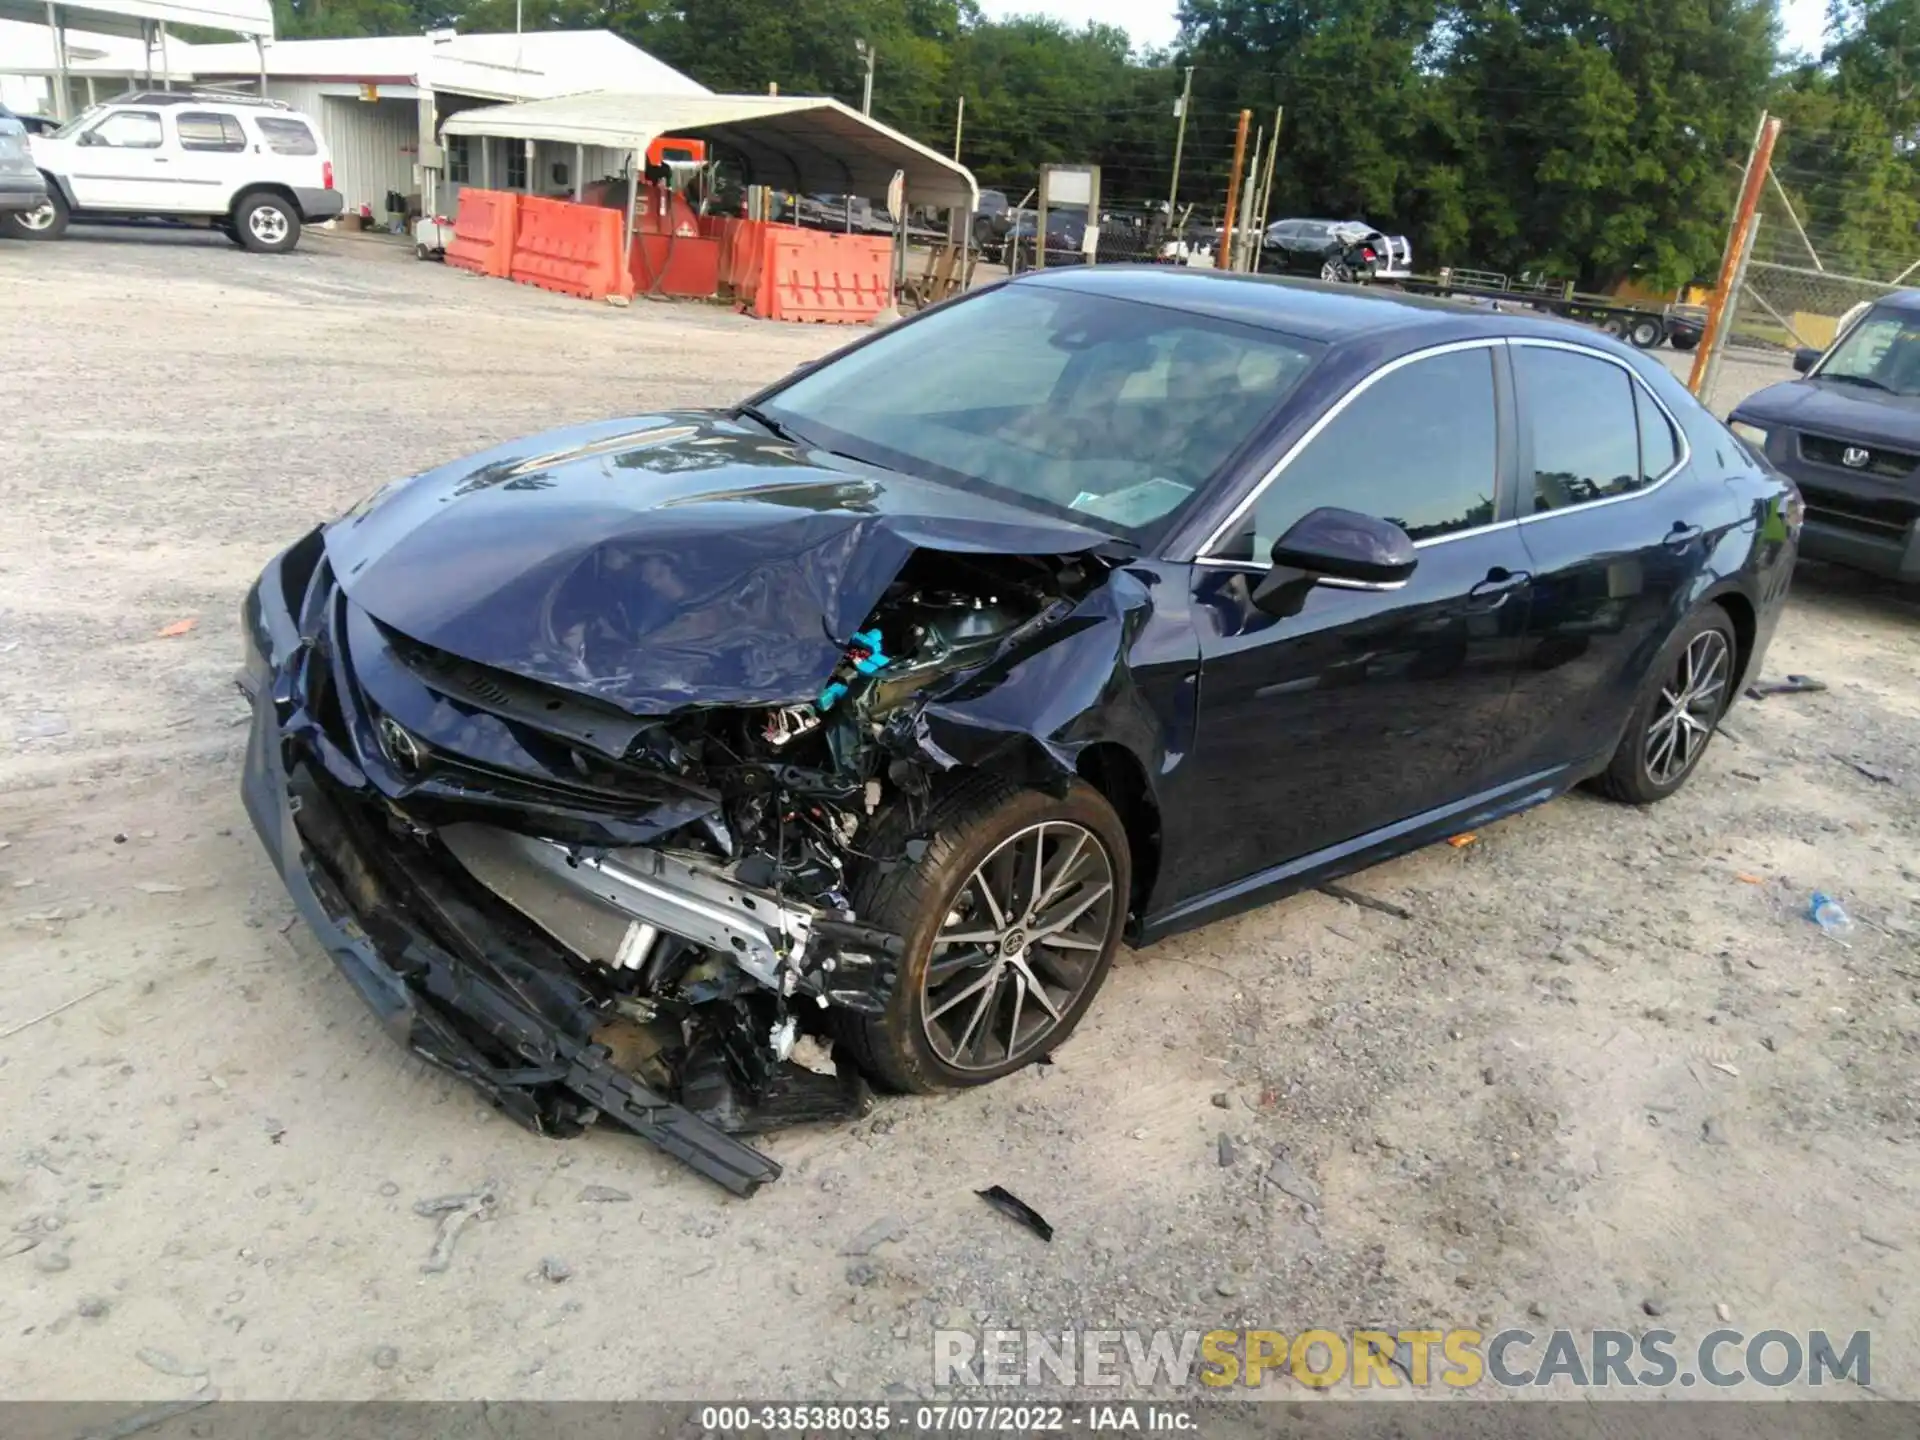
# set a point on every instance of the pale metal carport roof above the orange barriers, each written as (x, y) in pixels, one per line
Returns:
(796, 143)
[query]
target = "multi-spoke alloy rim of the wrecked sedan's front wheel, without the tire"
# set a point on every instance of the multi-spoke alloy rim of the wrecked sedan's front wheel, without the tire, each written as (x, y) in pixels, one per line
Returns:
(1019, 948)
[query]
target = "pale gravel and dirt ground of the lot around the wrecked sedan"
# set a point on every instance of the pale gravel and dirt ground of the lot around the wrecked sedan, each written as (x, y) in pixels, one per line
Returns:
(1606, 1070)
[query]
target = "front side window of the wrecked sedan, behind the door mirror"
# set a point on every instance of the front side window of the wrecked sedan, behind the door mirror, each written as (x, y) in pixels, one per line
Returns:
(1418, 448)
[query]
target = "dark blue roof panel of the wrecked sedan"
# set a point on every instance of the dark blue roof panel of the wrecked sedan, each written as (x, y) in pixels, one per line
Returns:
(1308, 310)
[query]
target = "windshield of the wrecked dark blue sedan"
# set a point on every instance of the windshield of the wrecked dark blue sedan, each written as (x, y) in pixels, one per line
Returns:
(1084, 406)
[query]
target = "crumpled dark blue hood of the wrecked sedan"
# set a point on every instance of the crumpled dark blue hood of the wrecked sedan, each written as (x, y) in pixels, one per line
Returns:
(660, 562)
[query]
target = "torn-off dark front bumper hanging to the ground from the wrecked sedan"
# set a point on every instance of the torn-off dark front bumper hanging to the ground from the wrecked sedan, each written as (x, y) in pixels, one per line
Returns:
(452, 974)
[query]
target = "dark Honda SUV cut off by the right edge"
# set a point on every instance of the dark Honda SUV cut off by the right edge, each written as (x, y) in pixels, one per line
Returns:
(1848, 433)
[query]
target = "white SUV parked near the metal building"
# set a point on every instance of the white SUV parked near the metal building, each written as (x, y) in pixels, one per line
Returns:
(252, 168)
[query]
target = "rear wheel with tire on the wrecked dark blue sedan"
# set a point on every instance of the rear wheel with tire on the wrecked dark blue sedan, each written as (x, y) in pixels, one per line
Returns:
(1683, 700)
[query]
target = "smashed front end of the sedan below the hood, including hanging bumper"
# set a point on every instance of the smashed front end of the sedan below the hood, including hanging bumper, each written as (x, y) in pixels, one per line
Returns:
(594, 913)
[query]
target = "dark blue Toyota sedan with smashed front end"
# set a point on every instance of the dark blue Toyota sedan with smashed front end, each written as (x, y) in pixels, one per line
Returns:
(627, 767)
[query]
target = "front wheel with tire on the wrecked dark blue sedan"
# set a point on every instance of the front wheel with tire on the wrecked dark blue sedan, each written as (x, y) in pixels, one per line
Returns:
(1011, 921)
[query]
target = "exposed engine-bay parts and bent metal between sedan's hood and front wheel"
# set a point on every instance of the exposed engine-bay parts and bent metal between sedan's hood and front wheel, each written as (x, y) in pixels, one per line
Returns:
(729, 938)
